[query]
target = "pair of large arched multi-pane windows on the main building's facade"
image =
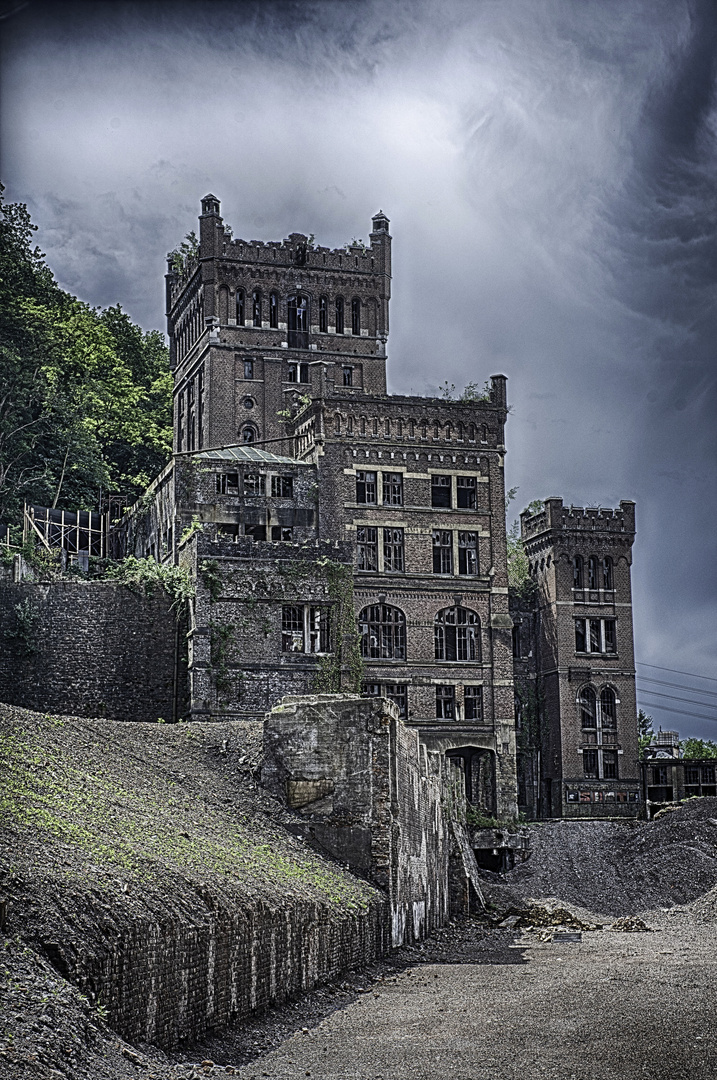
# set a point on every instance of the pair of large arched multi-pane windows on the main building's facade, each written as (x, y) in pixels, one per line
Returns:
(383, 630)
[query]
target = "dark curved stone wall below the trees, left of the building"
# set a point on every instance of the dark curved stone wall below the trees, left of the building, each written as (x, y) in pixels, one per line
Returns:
(91, 649)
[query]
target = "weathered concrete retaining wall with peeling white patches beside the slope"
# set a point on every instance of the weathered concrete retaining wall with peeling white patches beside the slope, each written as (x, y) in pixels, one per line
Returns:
(372, 795)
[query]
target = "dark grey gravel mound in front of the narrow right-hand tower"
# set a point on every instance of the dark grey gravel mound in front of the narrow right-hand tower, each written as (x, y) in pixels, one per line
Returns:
(619, 869)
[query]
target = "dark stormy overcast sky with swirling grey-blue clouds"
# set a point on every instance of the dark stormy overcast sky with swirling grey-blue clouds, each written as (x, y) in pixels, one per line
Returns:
(549, 169)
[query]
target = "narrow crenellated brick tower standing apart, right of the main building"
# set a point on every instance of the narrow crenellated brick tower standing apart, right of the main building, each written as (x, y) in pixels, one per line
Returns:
(575, 663)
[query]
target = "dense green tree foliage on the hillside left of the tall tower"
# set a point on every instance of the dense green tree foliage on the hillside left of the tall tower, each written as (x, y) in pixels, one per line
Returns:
(86, 398)
